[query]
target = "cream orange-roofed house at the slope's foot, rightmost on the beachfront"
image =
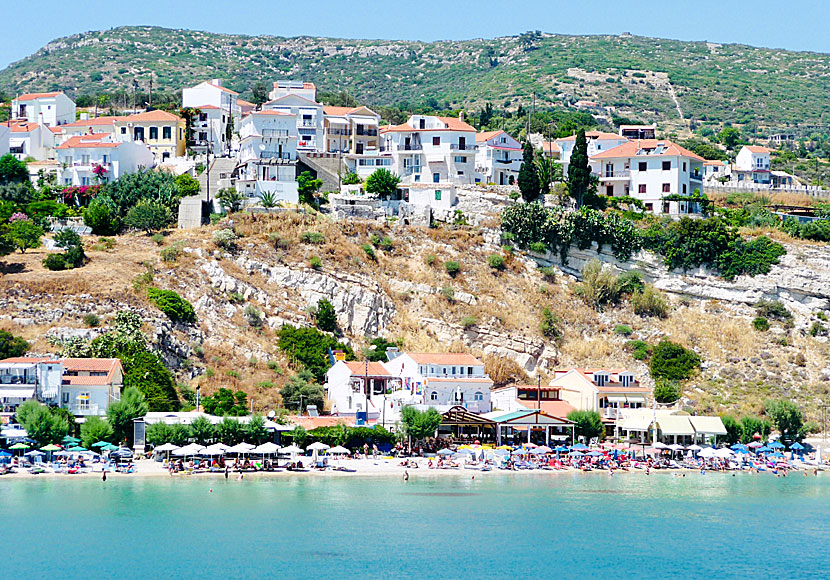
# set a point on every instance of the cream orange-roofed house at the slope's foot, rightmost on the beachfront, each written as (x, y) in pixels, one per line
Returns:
(606, 391)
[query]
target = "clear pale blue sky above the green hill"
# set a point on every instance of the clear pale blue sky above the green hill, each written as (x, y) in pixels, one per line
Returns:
(793, 24)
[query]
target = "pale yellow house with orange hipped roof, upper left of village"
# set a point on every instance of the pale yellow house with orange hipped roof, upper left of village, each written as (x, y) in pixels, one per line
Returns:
(159, 130)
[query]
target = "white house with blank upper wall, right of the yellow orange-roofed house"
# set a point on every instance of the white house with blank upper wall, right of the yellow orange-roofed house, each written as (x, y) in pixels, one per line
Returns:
(219, 114)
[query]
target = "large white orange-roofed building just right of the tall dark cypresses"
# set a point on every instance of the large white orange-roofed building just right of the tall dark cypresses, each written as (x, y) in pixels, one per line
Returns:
(650, 170)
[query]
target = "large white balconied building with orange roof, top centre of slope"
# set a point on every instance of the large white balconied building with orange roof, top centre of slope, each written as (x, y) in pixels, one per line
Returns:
(431, 149)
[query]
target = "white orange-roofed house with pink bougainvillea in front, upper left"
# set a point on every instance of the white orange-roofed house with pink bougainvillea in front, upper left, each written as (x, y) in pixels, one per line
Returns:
(80, 156)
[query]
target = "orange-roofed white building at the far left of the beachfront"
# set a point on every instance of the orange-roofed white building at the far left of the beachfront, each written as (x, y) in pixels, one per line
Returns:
(84, 386)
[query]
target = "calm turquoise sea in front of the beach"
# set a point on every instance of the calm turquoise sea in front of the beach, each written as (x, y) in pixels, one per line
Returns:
(501, 526)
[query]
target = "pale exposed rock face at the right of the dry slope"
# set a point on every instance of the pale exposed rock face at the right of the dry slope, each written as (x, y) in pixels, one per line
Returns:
(801, 280)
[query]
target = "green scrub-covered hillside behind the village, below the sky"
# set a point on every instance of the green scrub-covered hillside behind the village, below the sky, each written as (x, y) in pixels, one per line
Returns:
(645, 78)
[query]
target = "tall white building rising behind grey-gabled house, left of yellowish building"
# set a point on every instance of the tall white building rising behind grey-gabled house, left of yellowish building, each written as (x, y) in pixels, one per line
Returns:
(299, 99)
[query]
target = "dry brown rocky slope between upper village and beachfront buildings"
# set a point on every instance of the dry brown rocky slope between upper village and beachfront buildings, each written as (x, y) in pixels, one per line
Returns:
(407, 295)
